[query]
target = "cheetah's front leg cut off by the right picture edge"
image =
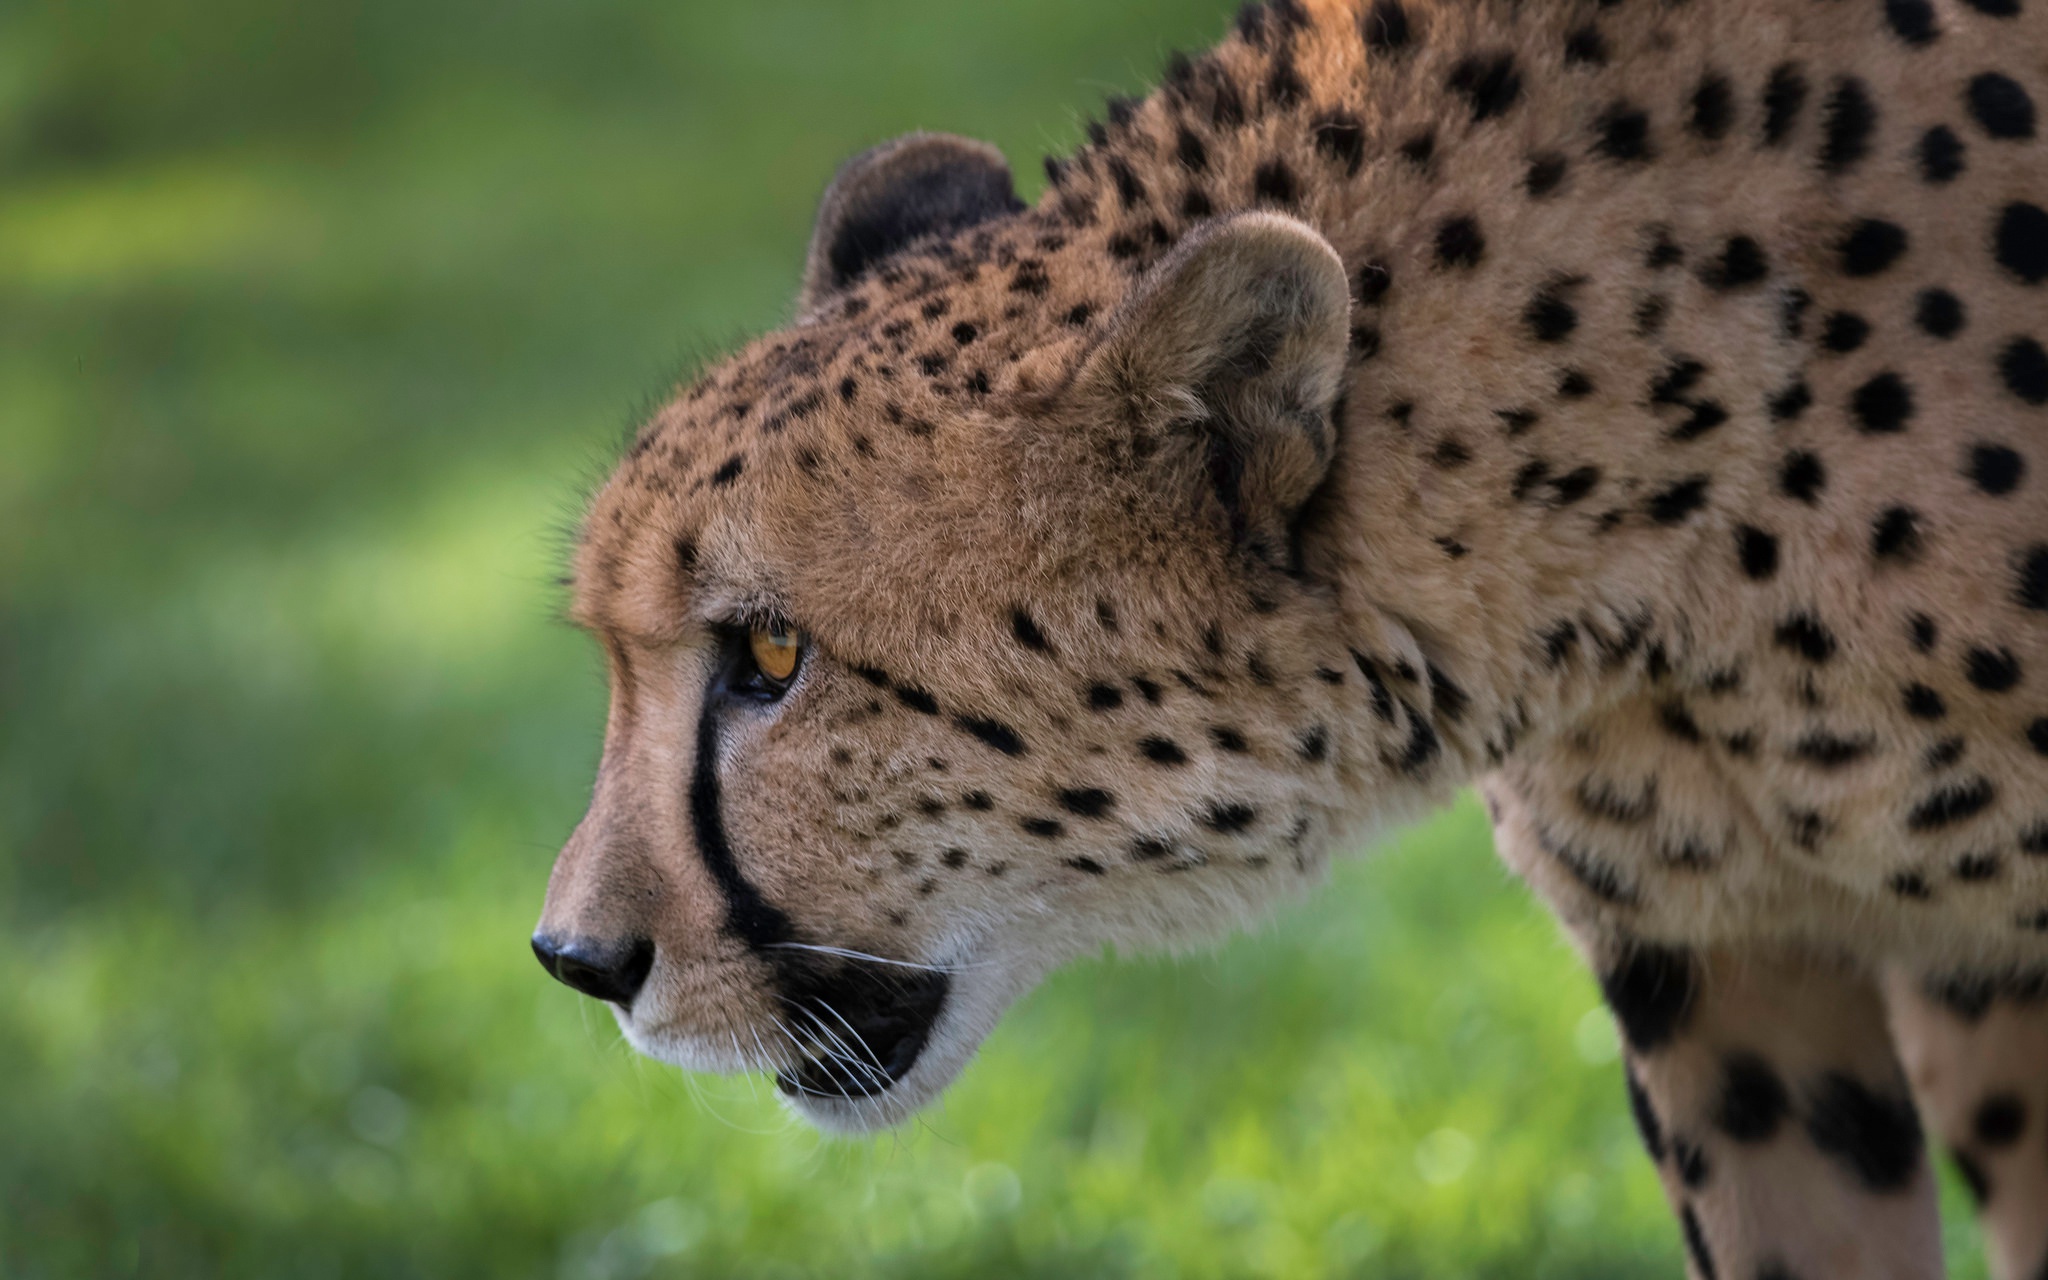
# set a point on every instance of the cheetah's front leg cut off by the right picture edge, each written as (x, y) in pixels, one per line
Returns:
(1979, 1062)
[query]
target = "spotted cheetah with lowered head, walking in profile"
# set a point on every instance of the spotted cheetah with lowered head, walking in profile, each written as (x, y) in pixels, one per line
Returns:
(1629, 409)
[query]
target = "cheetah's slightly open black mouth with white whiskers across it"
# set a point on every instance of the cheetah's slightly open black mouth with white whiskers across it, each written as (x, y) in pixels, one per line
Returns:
(859, 1027)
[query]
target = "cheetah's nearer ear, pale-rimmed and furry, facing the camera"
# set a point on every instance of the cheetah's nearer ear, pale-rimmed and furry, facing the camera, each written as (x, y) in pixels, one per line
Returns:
(1226, 366)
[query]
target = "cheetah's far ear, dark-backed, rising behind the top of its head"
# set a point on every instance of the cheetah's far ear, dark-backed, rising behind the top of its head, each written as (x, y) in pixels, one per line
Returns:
(896, 194)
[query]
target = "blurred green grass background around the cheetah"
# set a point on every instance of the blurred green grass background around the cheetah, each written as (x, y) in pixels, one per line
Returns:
(316, 327)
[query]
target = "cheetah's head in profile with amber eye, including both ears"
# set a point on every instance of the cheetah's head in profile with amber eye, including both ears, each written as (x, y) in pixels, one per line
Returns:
(921, 695)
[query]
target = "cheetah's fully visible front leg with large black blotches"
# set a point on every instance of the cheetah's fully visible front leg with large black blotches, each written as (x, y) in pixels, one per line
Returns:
(1768, 1095)
